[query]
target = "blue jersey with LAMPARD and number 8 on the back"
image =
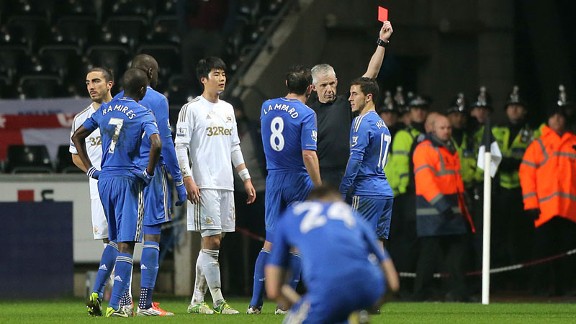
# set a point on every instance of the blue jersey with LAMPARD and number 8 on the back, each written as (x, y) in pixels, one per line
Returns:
(288, 127)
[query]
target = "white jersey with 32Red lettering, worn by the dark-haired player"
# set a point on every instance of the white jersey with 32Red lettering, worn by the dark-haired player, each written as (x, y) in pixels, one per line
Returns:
(209, 132)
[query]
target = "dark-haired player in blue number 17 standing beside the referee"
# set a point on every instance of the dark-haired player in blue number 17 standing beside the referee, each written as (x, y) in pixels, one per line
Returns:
(364, 184)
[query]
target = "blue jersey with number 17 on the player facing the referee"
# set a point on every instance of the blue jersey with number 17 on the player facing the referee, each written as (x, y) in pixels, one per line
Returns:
(369, 142)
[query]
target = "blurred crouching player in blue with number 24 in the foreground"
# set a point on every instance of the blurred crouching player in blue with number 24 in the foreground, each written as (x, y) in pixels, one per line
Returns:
(344, 267)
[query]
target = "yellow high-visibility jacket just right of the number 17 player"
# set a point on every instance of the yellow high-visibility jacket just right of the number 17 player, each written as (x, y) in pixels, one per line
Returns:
(397, 169)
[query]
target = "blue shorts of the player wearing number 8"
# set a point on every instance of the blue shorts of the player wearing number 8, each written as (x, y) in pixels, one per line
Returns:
(282, 190)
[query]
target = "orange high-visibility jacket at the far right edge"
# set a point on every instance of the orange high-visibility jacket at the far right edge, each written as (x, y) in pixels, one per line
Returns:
(548, 176)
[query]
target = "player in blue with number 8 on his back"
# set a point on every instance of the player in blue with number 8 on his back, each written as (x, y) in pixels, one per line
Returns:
(289, 137)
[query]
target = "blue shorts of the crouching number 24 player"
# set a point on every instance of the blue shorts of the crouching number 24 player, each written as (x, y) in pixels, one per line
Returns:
(334, 303)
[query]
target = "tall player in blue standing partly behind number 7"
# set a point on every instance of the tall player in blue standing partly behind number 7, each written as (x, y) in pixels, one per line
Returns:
(158, 194)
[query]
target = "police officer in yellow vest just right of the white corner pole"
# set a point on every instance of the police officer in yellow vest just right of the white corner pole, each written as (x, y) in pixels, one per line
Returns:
(512, 231)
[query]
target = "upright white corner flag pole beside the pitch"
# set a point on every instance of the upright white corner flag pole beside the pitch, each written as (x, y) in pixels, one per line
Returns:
(487, 141)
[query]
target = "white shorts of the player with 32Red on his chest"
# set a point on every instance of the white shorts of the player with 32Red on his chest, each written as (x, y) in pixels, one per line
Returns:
(215, 212)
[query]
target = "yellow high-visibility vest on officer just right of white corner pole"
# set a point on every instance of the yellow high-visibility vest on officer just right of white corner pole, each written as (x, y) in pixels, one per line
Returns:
(513, 148)
